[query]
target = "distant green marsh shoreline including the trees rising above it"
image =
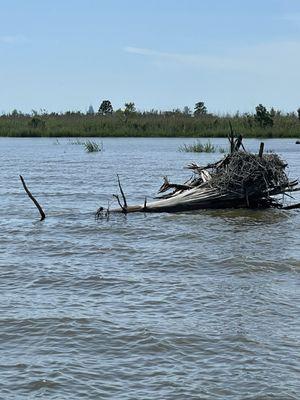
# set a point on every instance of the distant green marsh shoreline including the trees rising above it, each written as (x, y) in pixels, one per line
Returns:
(129, 121)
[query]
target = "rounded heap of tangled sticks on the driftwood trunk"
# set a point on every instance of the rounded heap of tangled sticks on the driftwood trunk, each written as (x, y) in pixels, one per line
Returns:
(249, 177)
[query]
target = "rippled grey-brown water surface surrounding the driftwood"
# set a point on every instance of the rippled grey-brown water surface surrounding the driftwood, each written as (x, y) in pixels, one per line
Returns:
(186, 306)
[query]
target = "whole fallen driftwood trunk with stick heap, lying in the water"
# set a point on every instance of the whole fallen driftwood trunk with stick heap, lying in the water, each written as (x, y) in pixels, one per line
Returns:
(239, 180)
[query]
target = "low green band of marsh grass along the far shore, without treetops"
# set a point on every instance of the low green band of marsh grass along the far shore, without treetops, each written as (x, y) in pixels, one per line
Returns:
(144, 125)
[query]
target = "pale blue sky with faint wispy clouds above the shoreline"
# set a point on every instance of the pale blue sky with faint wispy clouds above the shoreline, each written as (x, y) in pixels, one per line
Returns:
(63, 55)
